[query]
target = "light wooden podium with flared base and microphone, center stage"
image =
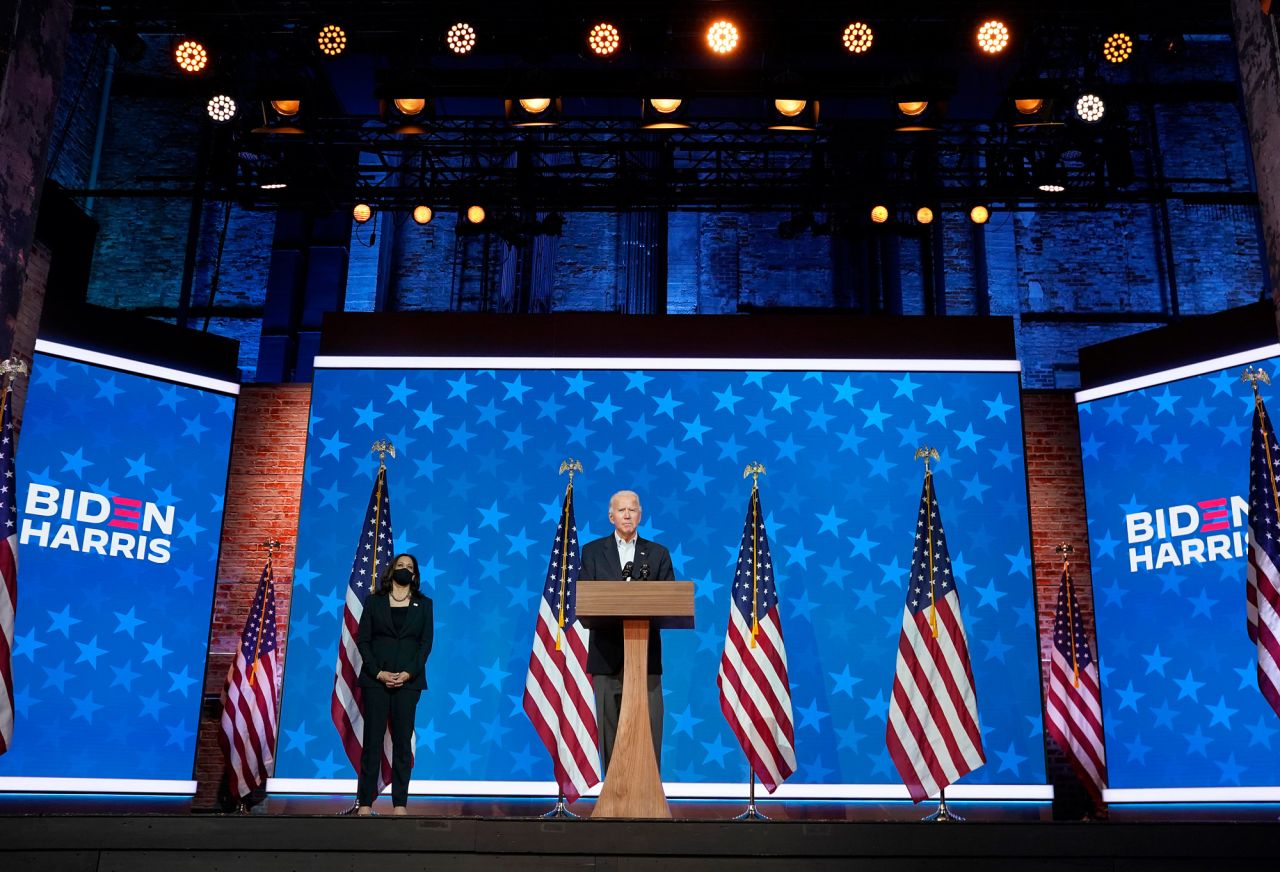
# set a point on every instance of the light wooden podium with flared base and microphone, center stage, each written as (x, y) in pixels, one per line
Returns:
(633, 787)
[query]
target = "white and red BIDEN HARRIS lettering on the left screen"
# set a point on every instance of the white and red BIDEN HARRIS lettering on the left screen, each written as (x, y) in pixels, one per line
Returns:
(97, 524)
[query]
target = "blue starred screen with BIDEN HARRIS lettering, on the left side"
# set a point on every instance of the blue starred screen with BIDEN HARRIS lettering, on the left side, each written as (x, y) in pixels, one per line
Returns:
(121, 485)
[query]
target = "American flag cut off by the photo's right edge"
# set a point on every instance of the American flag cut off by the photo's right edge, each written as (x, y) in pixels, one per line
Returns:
(1264, 573)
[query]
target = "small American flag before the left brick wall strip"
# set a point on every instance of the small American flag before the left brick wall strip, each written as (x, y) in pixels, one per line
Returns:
(248, 737)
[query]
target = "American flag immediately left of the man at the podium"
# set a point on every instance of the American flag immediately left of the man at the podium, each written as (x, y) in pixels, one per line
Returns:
(559, 697)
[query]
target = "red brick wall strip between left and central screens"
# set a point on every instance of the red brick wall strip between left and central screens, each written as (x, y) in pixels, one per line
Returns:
(263, 492)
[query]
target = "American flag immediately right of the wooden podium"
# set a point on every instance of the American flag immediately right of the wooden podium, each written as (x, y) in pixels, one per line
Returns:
(756, 696)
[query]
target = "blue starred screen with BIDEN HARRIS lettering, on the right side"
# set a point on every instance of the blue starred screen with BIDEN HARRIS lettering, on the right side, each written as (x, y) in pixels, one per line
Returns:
(1167, 474)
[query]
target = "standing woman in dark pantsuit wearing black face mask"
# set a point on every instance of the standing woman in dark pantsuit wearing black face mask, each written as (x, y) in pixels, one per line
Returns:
(395, 640)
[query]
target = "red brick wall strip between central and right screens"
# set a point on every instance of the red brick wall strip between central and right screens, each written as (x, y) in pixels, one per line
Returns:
(1055, 483)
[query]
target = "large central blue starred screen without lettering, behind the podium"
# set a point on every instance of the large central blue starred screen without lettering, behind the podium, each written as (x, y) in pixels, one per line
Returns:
(476, 495)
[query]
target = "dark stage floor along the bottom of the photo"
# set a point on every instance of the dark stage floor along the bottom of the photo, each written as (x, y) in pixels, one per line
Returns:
(479, 834)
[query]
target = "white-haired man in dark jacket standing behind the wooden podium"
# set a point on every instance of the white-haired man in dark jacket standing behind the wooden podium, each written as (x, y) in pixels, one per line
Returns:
(606, 560)
